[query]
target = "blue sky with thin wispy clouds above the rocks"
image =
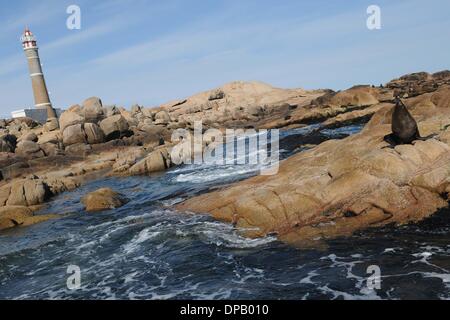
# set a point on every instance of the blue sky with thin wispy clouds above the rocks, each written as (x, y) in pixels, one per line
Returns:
(149, 52)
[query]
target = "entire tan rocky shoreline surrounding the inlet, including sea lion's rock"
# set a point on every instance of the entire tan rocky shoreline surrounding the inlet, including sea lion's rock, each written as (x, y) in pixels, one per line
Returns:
(332, 190)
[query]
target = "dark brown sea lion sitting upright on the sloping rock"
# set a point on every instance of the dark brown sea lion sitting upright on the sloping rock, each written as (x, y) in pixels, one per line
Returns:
(404, 127)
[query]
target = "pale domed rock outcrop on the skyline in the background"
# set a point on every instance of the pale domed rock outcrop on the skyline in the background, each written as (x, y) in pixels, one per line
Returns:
(237, 104)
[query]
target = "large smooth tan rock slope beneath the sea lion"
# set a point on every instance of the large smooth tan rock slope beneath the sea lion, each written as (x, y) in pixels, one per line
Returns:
(343, 186)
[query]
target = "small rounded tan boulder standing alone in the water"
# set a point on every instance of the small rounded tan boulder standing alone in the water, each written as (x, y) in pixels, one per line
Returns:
(103, 199)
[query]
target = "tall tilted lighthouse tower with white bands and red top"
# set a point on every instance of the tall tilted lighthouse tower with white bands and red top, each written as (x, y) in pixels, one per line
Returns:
(41, 96)
